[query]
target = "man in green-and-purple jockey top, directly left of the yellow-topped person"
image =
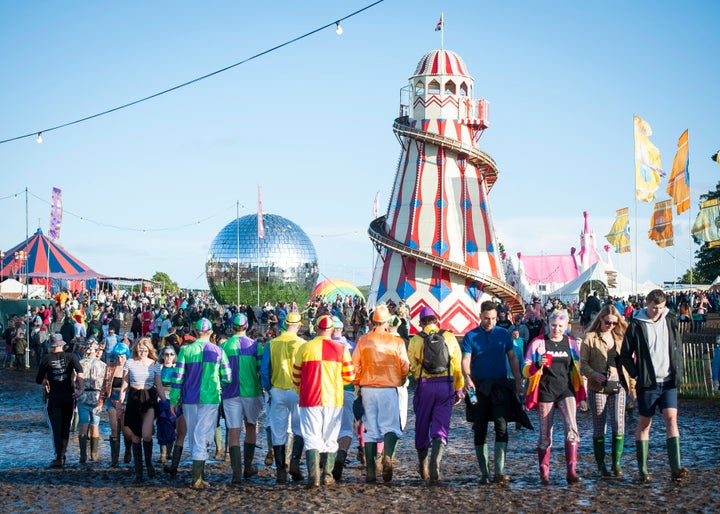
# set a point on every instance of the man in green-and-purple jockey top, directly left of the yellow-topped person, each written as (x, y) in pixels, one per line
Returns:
(242, 397)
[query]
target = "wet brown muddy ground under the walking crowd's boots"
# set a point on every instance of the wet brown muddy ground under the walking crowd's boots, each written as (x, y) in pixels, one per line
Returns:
(28, 486)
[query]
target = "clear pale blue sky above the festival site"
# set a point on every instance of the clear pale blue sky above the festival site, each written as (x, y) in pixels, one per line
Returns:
(312, 122)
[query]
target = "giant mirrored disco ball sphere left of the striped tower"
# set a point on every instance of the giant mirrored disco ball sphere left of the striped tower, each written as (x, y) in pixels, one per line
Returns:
(280, 266)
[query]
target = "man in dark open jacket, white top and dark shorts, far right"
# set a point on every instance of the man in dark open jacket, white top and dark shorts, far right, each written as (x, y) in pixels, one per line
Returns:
(652, 354)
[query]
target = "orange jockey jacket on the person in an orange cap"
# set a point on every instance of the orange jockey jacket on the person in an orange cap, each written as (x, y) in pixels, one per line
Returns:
(380, 360)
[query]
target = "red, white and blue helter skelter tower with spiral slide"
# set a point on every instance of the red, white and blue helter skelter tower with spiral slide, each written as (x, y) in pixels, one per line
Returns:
(437, 243)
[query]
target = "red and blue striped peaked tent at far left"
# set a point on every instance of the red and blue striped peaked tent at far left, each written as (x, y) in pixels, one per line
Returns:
(47, 263)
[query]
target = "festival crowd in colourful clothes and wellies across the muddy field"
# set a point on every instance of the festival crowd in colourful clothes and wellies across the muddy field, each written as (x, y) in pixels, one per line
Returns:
(333, 371)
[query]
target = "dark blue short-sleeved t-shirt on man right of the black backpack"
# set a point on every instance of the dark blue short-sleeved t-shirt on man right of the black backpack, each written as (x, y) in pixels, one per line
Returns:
(488, 351)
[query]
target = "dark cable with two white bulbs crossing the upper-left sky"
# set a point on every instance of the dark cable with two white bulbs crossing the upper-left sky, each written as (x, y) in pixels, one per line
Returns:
(38, 134)
